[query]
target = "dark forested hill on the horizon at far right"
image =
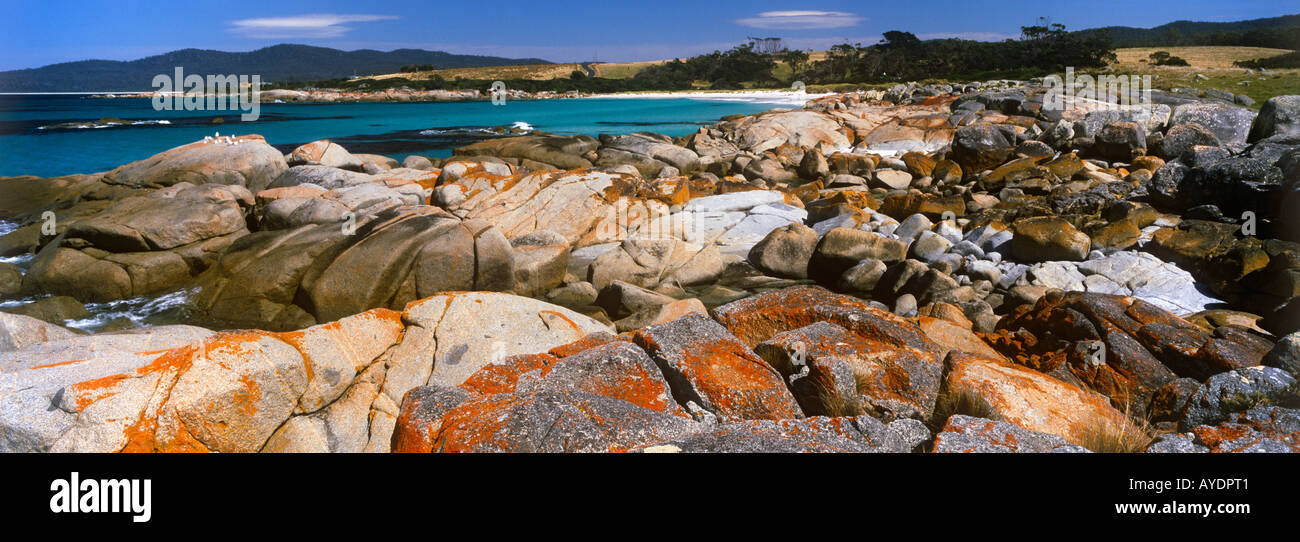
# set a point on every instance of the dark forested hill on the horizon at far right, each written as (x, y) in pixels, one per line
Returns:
(1281, 33)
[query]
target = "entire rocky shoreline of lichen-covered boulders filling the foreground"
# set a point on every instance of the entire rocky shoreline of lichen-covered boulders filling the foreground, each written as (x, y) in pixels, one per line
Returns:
(935, 268)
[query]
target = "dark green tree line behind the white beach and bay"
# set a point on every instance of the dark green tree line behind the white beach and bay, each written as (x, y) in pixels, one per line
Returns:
(899, 58)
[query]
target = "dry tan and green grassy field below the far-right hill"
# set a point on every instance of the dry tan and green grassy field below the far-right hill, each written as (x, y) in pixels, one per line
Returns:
(1216, 66)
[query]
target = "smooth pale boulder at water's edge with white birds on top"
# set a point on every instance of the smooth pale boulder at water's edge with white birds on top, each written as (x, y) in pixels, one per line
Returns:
(246, 161)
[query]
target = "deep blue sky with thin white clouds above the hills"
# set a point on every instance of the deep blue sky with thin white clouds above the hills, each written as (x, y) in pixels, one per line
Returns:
(36, 33)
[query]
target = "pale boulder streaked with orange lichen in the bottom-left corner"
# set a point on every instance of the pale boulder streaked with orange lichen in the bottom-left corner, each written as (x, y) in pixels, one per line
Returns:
(231, 392)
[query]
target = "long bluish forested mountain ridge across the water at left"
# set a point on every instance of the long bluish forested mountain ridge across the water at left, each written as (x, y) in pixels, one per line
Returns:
(275, 64)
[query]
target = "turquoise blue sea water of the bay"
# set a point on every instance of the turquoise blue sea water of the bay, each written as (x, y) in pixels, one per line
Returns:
(392, 129)
